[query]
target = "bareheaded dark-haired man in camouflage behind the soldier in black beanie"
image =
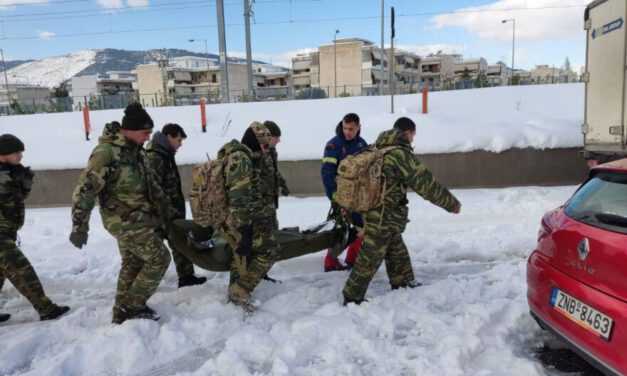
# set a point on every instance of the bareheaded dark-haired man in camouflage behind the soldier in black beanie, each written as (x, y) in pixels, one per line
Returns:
(160, 152)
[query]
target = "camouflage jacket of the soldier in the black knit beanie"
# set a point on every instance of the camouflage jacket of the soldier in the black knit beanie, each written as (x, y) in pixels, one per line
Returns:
(126, 189)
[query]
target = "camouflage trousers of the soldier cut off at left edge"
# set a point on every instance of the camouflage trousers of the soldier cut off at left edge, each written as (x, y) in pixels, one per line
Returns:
(15, 267)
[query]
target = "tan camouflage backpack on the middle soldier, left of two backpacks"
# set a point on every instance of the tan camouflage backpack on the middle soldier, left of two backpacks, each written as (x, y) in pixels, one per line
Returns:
(208, 195)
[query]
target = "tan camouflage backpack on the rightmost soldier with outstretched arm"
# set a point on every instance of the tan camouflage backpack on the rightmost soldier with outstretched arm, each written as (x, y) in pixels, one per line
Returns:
(360, 180)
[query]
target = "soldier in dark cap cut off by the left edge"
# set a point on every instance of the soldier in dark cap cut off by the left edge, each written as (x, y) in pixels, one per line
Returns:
(15, 185)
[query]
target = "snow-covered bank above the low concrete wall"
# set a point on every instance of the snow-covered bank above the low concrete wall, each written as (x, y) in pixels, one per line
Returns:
(494, 119)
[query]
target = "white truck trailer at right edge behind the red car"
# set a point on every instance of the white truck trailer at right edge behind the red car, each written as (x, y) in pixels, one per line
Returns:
(605, 96)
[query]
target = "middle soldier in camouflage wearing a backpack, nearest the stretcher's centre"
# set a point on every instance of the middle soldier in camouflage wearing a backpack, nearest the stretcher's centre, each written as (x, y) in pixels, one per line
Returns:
(250, 221)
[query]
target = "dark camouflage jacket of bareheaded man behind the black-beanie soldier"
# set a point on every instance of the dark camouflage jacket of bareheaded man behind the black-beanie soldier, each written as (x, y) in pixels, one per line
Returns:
(161, 160)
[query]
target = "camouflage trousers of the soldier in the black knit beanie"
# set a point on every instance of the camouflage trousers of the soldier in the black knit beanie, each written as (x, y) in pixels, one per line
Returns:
(145, 260)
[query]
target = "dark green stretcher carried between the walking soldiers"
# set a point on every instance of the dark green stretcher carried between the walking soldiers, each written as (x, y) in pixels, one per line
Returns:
(208, 250)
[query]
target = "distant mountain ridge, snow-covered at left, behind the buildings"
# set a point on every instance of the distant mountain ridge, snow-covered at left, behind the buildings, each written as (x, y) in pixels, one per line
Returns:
(53, 71)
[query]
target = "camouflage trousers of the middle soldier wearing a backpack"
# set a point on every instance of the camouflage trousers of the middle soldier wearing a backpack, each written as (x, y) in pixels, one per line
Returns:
(263, 255)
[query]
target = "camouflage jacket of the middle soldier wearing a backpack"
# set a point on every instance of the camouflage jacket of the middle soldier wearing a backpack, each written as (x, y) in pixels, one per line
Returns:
(242, 183)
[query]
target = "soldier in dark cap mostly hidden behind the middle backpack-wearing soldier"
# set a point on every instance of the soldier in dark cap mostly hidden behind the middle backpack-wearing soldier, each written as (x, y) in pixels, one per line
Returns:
(272, 182)
